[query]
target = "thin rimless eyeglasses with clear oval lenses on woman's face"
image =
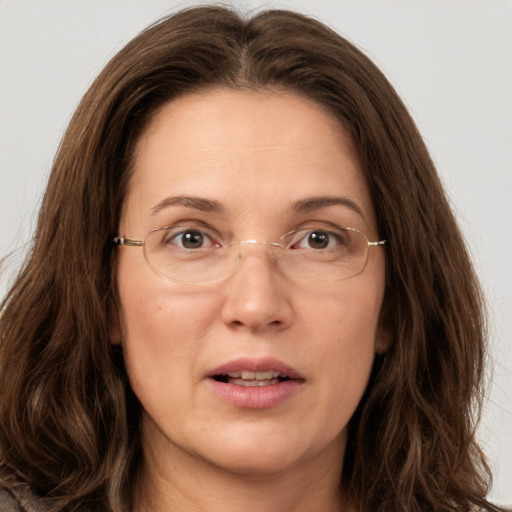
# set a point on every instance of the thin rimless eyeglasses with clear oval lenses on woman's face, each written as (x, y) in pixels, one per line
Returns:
(197, 255)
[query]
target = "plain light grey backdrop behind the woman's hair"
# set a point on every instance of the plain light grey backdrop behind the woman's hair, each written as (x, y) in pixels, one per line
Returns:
(450, 60)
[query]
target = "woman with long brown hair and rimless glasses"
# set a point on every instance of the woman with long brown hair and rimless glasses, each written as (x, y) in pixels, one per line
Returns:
(247, 290)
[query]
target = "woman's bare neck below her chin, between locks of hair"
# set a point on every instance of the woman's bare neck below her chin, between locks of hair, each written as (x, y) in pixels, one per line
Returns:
(173, 480)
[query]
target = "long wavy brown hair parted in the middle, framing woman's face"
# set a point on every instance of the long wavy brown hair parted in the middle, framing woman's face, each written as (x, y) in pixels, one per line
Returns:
(68, 419)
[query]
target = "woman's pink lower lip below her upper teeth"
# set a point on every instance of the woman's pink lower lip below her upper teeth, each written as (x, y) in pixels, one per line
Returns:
(255, 397)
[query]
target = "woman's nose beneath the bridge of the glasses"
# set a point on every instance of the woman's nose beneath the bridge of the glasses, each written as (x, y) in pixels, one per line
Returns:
(256, 295)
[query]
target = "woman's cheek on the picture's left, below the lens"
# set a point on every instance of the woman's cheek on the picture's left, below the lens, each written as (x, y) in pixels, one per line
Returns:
(160, 330)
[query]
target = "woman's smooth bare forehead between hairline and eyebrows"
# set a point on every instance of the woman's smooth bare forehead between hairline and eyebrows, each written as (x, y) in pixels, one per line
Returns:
(245, 149)
